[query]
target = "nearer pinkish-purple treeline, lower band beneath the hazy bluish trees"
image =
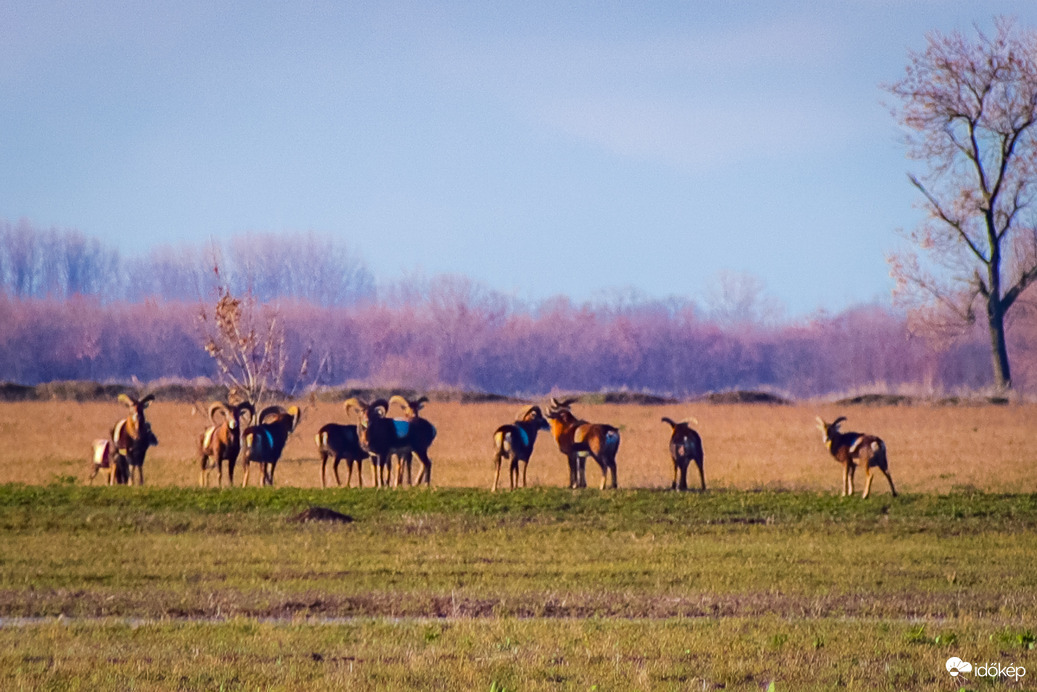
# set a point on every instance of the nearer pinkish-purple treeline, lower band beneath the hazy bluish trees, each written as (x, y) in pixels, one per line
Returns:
(465, 344)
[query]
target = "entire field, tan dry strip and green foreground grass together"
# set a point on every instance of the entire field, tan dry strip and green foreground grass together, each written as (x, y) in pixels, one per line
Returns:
(171, 588)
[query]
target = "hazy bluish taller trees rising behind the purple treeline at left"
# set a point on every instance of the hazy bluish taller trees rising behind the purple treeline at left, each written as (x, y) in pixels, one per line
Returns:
(59, 264)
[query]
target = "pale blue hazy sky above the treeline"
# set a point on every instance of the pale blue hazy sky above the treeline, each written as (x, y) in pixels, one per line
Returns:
(539, 148)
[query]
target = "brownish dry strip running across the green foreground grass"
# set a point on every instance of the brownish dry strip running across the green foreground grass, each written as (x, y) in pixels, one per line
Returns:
(83, 603)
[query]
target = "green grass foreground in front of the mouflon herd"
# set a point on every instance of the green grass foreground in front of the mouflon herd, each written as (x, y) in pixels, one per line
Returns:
(548, 589)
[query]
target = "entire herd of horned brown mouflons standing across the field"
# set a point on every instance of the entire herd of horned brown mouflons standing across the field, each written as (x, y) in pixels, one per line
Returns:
(238, 434)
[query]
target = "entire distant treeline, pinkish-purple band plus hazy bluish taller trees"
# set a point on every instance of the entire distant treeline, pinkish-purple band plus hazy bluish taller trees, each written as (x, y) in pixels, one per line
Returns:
(445, 333)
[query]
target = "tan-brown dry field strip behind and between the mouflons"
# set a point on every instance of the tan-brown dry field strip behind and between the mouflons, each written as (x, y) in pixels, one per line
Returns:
(933, 450)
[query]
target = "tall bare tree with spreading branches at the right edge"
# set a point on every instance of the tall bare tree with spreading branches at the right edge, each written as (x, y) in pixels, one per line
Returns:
(970, 108)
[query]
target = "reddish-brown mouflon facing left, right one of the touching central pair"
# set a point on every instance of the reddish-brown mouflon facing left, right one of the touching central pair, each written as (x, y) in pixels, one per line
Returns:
(578, 439)
